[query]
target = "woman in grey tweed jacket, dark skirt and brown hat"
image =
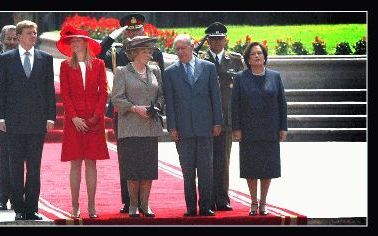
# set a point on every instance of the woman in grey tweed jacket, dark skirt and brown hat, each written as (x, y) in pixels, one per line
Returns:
(135, 86)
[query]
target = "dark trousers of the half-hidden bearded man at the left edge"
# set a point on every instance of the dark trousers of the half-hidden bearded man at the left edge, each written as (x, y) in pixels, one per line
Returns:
(4, 169)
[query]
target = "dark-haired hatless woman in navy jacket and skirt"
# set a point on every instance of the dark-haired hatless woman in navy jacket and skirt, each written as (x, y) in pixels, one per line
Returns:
(259, 123)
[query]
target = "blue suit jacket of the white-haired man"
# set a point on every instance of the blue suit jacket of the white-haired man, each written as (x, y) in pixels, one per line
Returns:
(192, 110)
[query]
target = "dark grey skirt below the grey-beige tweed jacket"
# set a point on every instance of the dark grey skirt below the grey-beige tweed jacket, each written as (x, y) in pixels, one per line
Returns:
(140, 156)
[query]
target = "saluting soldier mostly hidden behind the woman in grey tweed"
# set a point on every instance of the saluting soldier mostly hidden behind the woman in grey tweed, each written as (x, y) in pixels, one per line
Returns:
(131, 26)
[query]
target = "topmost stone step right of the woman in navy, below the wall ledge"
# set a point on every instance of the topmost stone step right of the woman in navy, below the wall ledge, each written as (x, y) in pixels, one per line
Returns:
(325, 95)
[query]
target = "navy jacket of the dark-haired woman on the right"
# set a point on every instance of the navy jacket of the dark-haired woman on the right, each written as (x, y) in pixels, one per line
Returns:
(259, 107)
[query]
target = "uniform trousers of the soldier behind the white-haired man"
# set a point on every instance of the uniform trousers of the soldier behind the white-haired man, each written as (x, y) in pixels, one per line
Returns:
(221, 162)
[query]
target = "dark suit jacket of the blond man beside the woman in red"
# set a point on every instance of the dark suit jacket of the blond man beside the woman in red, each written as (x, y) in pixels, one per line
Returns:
(26, 103)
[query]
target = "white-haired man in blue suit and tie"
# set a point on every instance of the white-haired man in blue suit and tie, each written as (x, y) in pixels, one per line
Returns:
(194, 116)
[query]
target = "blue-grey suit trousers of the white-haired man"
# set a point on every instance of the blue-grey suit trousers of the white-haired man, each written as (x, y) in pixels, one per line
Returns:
(196, 153)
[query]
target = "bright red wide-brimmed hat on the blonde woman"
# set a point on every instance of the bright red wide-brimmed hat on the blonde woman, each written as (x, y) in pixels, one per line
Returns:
(68, 32)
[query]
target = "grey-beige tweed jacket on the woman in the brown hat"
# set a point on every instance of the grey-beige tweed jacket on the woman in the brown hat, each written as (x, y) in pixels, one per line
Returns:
(130, 89)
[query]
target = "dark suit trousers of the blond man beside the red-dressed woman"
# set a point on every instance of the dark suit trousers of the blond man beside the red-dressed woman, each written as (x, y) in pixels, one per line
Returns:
(25, 148)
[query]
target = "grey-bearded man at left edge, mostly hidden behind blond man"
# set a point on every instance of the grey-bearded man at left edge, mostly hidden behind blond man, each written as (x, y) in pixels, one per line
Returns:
(8, 41)
